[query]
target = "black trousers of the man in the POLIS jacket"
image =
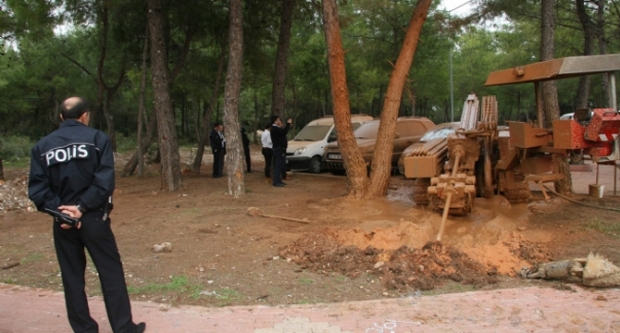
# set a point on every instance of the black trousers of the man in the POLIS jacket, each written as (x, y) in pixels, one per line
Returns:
(96, 236)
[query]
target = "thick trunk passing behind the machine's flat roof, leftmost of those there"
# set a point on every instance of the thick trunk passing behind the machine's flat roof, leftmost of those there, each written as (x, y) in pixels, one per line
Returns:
(551, 105)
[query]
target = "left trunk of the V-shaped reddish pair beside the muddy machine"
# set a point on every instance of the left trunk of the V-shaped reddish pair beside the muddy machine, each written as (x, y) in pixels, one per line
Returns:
(352, 157)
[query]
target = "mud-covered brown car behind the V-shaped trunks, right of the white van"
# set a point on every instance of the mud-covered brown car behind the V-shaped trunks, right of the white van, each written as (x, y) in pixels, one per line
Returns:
(408, 131)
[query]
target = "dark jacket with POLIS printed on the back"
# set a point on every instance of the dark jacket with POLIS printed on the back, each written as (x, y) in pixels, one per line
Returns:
(72, 165)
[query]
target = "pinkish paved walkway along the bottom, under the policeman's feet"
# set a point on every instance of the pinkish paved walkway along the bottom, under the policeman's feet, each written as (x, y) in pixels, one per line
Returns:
(531, 309)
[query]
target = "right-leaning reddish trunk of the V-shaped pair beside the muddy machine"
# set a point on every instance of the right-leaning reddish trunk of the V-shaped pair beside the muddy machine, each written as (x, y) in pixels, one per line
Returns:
(382, 157)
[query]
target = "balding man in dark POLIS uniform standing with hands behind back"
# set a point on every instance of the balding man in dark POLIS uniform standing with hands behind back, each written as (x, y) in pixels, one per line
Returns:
(72, 172)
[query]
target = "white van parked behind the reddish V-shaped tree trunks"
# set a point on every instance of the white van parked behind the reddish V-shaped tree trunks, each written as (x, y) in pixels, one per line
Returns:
(305, 151)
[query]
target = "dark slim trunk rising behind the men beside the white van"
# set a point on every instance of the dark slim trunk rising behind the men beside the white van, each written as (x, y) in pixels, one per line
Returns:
(284, 41)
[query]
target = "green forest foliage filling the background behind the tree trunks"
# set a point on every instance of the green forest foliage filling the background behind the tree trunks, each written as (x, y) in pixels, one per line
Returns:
(52, 49)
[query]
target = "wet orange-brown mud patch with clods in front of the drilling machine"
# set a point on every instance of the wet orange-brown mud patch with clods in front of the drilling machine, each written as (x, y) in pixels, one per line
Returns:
(399, 246)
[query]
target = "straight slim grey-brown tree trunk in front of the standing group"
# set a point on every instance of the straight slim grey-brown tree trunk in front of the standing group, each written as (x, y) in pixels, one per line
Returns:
(235, 163)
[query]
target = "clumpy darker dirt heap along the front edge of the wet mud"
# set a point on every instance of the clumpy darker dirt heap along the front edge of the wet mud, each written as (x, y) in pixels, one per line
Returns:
(420, 268)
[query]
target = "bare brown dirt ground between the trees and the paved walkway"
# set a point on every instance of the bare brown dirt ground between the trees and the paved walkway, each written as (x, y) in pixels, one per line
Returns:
(349, 250)
